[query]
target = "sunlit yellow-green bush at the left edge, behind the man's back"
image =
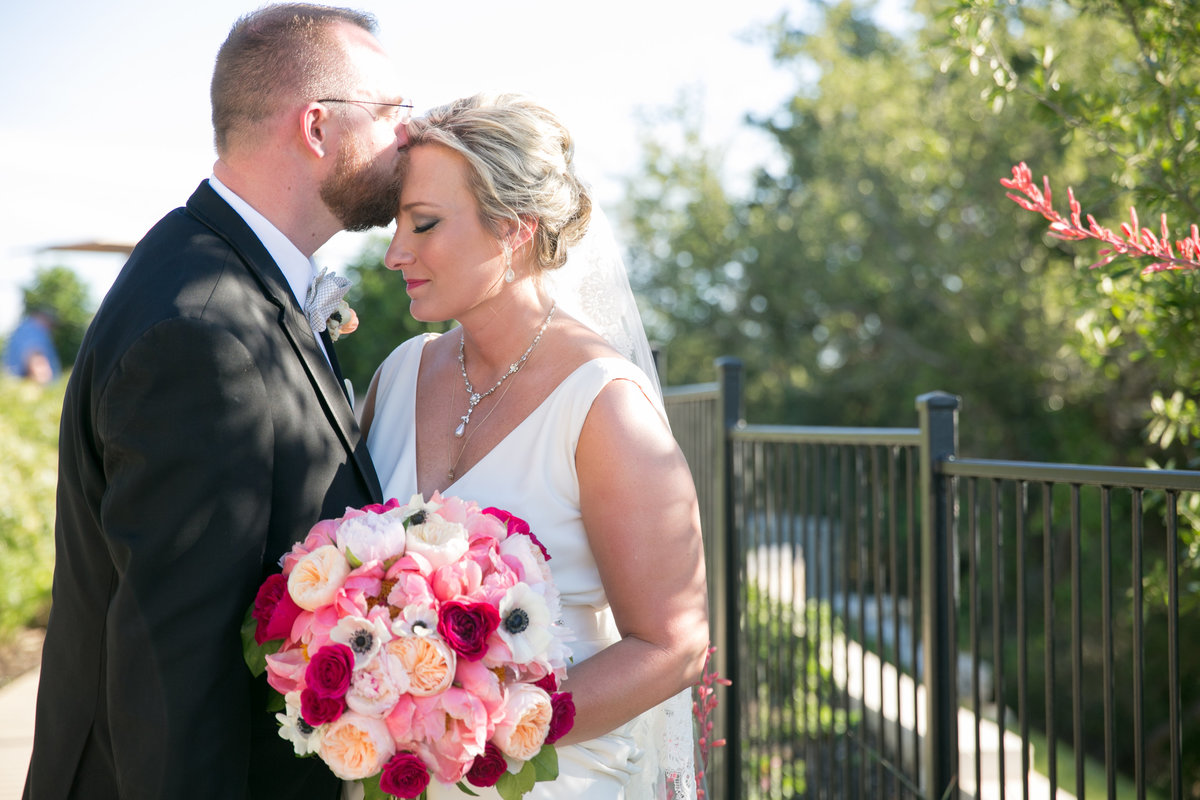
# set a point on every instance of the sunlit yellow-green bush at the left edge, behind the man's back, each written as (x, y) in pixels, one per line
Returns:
(29, 435)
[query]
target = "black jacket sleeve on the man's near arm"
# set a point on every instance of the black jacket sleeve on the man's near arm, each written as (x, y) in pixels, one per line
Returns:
(188, 456)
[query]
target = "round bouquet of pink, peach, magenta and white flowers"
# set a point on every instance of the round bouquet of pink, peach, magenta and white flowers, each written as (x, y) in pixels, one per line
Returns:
(417, 642)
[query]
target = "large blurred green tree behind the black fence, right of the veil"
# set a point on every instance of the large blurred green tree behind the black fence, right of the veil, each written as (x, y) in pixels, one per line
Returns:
(874, 266)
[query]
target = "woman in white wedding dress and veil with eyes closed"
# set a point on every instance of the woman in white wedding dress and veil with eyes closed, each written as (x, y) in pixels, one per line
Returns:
(527, 407)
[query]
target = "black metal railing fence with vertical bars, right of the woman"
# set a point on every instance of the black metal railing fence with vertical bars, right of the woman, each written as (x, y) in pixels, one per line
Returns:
(899, 622)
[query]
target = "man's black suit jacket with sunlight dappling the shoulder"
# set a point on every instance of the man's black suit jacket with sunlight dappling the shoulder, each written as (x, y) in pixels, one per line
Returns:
(203, 434)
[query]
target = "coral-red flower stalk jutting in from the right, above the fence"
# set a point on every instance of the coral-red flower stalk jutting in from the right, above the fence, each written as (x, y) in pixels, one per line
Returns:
(1136, 243)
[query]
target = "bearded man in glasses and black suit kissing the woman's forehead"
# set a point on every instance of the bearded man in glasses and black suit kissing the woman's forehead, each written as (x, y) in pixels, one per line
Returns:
(206, 430)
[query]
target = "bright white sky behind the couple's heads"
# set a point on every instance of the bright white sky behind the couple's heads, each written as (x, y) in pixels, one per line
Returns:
(107, 122)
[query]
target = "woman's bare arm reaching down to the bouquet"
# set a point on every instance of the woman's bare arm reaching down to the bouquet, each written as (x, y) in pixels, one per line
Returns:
(643, 518)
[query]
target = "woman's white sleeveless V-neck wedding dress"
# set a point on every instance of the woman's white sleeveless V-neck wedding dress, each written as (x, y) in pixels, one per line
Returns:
(532, 474)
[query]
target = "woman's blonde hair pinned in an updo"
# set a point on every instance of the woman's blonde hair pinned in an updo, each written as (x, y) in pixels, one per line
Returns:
(521, 167)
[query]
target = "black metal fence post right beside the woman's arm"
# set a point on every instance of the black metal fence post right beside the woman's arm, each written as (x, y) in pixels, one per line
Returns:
(727, 624)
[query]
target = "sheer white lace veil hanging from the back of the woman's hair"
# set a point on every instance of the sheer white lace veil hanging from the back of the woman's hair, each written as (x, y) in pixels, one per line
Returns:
(593, 287)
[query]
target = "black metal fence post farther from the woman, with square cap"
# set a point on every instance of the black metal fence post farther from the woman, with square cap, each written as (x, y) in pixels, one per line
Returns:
(939, 414)
